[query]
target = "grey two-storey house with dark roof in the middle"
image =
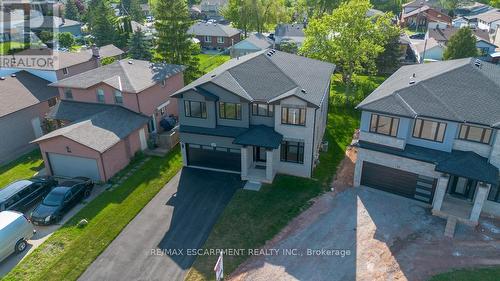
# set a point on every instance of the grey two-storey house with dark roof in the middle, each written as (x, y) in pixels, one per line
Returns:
(257, 115)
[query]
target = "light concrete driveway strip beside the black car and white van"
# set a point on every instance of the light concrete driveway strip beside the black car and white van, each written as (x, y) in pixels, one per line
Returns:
(43, 233)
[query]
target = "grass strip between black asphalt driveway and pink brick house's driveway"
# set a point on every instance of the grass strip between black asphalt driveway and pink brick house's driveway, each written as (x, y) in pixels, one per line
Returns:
(70, 250)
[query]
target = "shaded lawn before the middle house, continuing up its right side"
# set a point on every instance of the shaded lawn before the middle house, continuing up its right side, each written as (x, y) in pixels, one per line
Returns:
(252, 218)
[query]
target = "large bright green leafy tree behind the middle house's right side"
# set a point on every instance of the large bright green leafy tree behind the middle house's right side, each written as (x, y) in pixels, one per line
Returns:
(348, 38)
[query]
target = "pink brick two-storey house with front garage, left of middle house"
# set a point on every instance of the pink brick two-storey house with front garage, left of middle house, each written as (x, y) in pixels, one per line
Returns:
(106, 116)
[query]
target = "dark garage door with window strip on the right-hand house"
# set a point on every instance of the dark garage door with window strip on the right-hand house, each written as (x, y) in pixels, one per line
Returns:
(398, 182)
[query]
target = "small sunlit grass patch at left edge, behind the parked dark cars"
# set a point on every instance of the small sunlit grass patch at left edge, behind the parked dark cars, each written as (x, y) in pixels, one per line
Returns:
(23, 167)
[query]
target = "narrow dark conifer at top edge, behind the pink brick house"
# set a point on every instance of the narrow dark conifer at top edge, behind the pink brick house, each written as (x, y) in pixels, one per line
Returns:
(103, 22)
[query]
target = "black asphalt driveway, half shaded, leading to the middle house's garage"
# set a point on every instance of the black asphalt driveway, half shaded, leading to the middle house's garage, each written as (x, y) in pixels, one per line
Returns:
(180, 217)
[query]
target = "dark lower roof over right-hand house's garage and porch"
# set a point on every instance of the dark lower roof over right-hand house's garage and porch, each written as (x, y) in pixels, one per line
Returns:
(461, 163)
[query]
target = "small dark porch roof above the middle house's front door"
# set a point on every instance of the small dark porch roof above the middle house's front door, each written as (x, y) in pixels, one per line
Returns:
(260, 135)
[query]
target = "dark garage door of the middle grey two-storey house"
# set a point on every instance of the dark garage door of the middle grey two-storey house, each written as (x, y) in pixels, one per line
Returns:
(221, 158)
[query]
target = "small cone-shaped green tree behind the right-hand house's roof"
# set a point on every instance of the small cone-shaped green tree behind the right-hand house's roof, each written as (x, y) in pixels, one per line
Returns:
(461, 45)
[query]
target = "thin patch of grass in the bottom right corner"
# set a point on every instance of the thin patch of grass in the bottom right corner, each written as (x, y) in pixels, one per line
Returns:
(482, 274)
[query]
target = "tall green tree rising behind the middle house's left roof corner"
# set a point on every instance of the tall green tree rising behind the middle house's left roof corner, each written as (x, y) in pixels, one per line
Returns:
(174, 44)
